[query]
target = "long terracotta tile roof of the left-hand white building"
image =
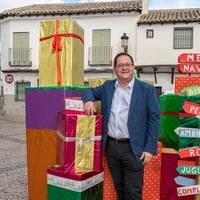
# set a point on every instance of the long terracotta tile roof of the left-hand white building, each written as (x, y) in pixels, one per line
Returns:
(74, 8)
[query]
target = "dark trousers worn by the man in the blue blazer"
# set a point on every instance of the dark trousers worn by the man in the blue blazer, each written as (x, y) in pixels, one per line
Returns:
(126, 171)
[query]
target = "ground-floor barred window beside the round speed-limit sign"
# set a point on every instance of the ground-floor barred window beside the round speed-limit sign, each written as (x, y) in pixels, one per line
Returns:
(20, 90)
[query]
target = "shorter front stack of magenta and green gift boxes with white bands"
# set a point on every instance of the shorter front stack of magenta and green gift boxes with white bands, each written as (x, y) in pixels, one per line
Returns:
(78, 173)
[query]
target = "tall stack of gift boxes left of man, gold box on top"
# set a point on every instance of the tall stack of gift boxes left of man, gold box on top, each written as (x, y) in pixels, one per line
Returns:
(75, 171)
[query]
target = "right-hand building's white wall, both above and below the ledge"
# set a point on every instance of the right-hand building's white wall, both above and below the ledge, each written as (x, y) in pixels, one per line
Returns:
(159, 50)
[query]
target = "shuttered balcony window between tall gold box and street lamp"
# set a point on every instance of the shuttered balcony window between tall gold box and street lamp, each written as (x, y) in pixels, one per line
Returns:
(100, 52)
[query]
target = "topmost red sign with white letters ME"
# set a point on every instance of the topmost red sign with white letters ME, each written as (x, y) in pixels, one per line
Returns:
(189, 58)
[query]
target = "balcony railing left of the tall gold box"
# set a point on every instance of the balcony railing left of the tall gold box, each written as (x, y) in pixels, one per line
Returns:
(19, 57)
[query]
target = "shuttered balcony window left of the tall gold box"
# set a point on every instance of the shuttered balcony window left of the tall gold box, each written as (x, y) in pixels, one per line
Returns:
(20, 53)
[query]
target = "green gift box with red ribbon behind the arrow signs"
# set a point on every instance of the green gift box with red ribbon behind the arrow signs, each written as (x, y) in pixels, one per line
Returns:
(172, 117)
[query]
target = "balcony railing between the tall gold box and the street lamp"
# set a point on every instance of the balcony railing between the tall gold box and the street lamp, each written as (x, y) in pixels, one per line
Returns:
(100, 56)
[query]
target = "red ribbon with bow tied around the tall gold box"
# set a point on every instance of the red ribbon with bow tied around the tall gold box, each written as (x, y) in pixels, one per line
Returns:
(56, 47)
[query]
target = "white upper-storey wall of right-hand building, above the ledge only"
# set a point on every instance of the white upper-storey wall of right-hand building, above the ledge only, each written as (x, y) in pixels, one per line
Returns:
(159, 49)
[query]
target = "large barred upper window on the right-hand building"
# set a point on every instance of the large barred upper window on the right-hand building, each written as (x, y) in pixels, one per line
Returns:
(183, 38)
